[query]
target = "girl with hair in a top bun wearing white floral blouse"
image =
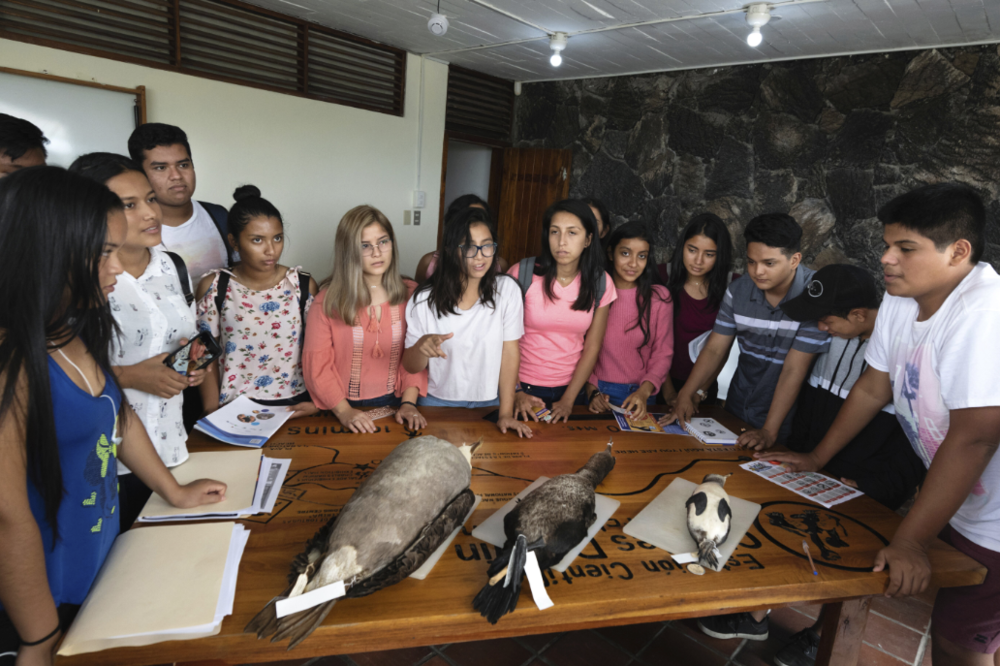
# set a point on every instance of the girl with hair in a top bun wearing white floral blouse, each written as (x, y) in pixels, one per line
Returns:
(257, 312)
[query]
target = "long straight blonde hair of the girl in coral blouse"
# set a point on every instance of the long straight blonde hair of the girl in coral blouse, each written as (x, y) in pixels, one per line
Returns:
(346, 291)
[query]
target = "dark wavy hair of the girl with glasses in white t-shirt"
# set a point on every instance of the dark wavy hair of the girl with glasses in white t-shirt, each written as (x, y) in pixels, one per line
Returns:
(447, 282)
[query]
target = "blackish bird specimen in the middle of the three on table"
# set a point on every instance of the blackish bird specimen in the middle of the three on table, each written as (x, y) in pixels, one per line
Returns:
(551, 520)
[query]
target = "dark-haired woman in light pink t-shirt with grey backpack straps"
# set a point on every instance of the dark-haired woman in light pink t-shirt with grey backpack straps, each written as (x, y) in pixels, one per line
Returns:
(563, 322)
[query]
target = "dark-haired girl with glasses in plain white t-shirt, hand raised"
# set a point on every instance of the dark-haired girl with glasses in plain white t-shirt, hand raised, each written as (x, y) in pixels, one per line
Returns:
(464, 324)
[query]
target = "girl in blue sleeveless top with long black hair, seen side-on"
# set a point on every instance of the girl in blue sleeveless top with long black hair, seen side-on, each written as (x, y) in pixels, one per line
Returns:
(62, 421)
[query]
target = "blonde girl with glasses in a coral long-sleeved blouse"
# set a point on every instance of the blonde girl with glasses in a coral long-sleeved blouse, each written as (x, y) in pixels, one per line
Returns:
(355, 337)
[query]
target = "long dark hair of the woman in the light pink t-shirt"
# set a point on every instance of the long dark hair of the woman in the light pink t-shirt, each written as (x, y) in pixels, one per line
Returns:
(591, 261)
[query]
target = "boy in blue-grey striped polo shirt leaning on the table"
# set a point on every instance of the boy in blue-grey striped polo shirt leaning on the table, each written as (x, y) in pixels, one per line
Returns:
(775, 351)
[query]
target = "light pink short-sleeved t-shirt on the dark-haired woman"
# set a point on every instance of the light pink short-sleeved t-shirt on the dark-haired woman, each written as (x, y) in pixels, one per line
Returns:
(553, 332)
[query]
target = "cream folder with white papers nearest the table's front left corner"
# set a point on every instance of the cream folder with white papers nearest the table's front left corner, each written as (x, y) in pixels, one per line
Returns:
(163, 584)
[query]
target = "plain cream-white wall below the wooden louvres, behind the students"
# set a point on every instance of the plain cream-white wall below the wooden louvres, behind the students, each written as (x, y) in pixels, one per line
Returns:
(313, 160)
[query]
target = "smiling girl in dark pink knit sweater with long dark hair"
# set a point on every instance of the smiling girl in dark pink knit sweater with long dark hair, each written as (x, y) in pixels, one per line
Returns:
(639, 343)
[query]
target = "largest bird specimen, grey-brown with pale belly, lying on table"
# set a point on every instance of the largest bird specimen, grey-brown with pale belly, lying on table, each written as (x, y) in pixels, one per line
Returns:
(393, 522)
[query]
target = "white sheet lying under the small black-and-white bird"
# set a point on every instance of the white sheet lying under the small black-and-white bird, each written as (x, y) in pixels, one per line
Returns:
(663, 522)
